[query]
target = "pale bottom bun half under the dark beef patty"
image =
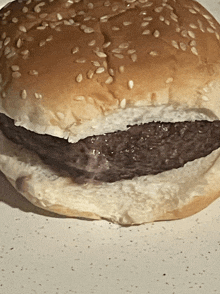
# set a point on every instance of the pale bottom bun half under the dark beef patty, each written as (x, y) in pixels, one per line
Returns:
(170, 195)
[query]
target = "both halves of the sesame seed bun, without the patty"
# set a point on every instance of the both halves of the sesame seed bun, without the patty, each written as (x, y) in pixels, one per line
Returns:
(72, 69)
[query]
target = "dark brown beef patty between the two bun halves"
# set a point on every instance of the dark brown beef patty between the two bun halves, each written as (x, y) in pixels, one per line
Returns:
(141, 150)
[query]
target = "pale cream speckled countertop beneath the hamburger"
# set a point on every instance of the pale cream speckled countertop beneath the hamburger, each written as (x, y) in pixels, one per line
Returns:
(43, 253)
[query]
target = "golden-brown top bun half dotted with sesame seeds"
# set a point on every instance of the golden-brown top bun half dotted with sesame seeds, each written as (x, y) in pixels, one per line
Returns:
(68, 66)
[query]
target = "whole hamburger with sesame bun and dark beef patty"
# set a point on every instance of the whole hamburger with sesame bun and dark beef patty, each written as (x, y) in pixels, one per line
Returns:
(110, 109)
